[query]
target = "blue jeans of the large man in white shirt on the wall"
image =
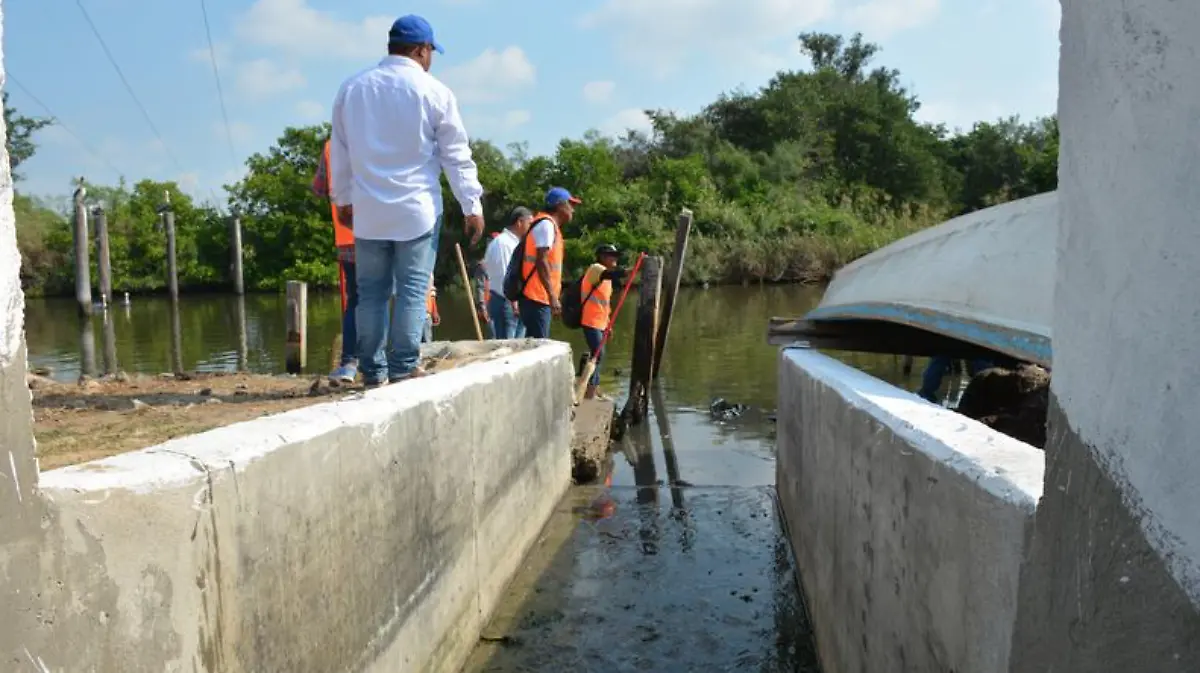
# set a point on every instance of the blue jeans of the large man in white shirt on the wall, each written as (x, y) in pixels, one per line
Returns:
(385, 268)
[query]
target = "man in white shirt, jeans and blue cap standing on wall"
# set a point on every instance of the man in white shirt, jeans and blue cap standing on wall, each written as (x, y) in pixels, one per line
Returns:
(395, 130)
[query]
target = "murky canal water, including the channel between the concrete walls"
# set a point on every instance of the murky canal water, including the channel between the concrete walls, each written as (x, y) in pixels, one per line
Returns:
(681, 564)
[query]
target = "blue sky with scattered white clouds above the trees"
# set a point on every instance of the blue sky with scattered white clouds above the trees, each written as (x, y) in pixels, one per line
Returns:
(525, 70)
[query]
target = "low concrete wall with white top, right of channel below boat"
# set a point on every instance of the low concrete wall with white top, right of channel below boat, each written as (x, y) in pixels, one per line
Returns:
(909, 521)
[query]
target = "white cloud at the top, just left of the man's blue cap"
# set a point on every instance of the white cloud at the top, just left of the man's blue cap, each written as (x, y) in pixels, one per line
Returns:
(296, 28)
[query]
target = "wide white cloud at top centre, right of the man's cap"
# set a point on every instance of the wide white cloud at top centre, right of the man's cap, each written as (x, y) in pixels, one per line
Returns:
(661, 35)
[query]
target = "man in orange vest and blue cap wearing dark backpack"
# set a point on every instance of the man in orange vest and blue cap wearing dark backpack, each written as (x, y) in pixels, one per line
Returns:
(542, 269)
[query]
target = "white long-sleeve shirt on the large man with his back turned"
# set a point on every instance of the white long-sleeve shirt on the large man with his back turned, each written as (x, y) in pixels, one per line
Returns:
(395, 130)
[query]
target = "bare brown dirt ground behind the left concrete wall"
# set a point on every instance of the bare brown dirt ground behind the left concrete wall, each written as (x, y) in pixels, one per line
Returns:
(92, 419)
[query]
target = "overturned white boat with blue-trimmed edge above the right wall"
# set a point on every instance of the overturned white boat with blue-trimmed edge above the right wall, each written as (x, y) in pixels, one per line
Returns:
(975, 285)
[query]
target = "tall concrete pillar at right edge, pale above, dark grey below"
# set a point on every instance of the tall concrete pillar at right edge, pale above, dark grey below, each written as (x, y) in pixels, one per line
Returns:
(1114, 575)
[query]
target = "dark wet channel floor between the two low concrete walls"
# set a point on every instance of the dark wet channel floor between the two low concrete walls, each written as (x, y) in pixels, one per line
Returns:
(707, 585)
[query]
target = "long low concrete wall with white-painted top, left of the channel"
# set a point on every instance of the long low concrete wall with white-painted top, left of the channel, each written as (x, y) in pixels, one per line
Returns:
(370, 534)
